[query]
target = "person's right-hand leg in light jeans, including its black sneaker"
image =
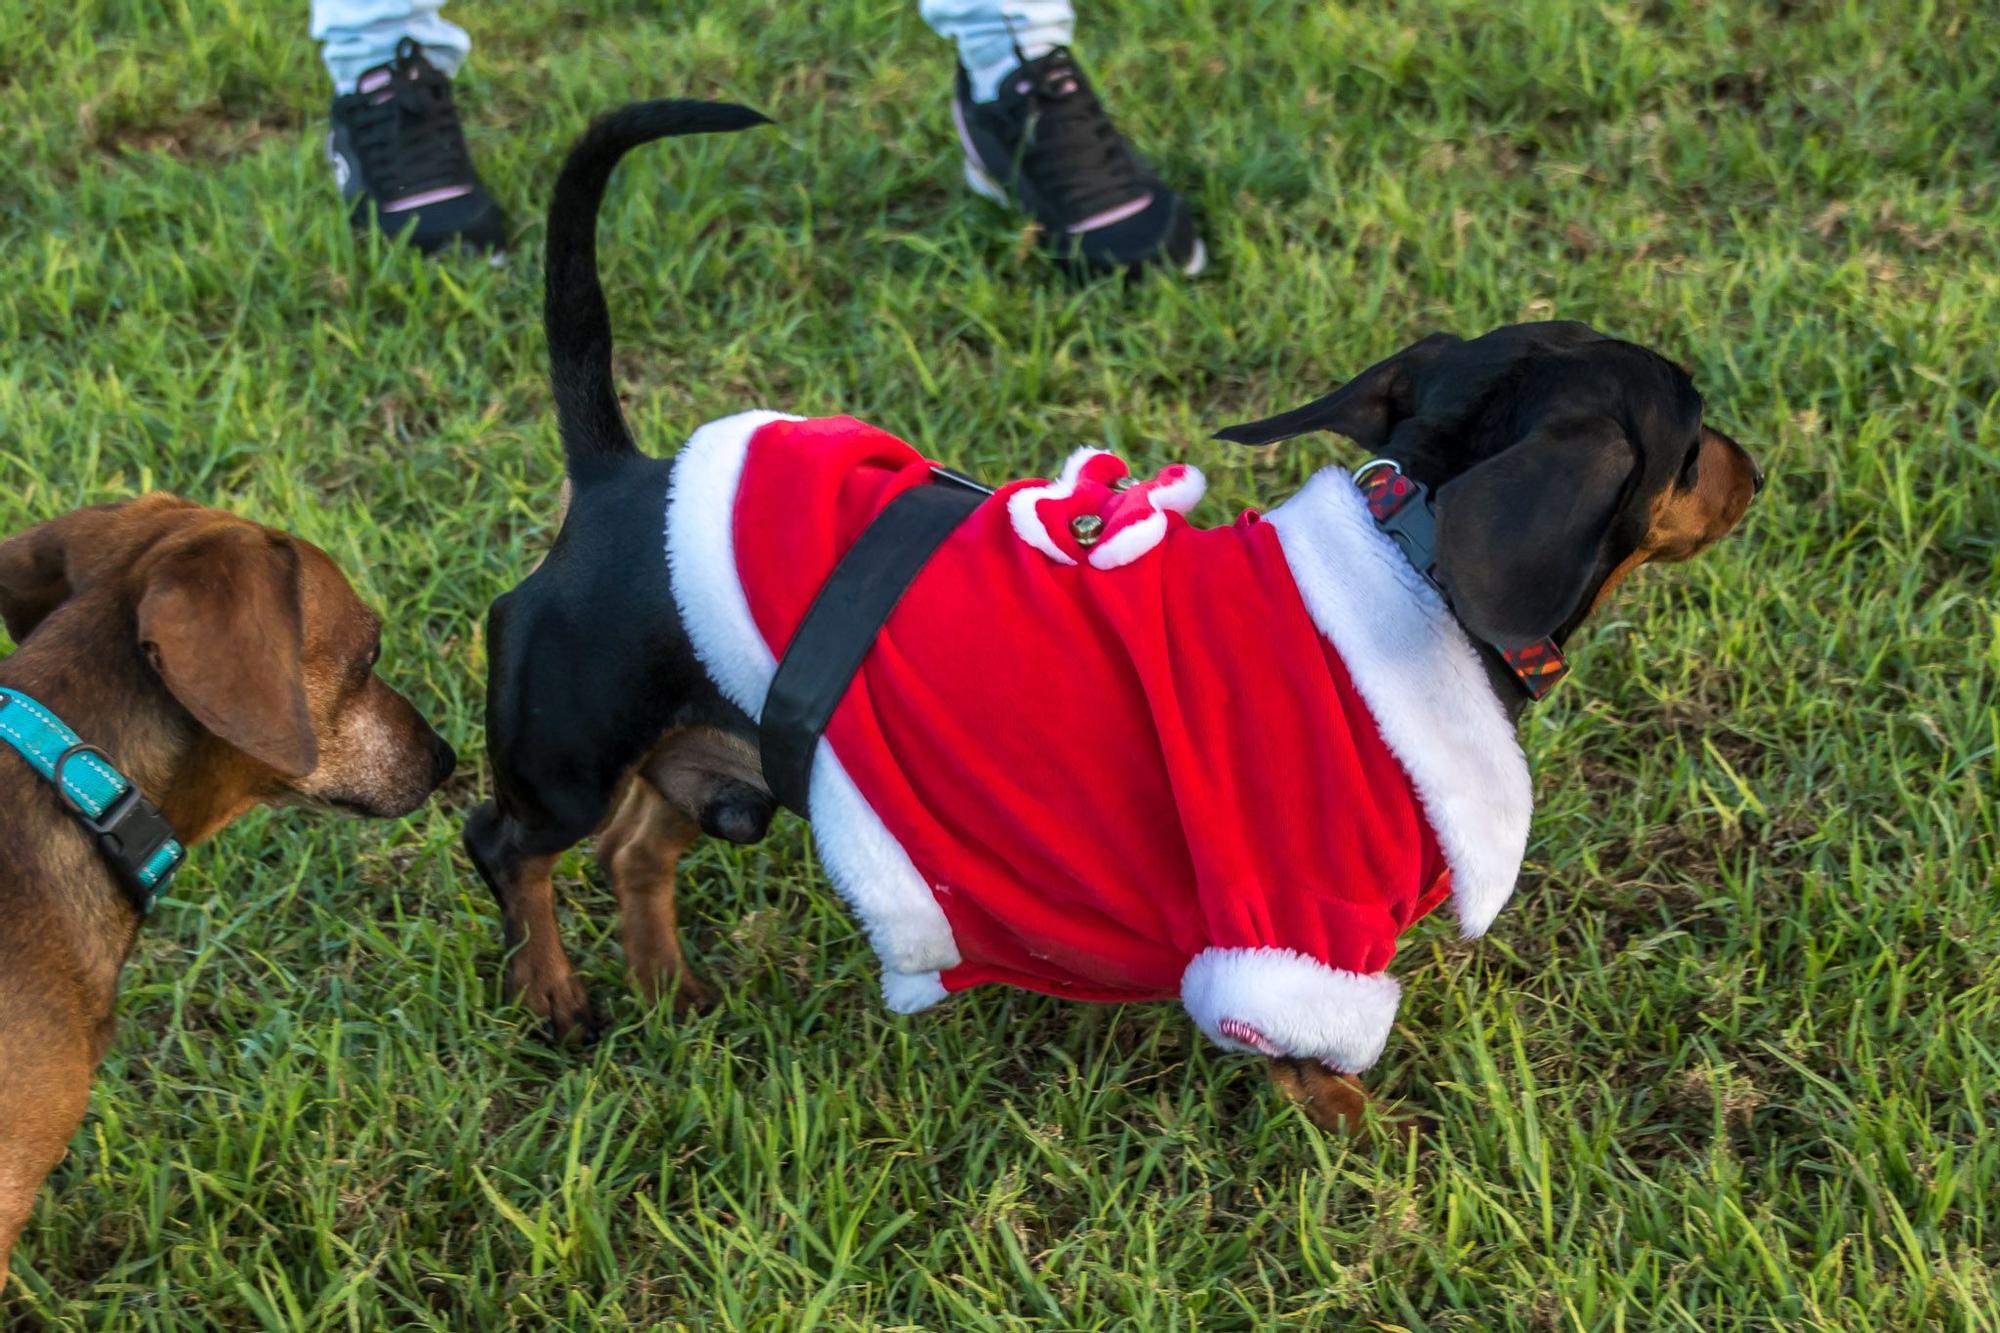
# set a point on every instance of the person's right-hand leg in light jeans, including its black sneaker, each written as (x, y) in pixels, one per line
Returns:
(1039, 139)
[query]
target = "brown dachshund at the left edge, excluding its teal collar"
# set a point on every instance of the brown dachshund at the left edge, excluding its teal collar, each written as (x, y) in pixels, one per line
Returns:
(219, 665)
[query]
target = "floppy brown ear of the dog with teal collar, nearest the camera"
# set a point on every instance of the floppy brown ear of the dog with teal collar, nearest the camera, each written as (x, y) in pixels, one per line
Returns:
(221, 621)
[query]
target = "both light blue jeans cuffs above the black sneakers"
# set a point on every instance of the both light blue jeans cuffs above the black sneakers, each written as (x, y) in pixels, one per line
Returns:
(359, 35)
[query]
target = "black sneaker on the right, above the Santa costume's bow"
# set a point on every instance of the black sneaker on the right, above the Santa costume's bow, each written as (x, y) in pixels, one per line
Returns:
(1047, 147)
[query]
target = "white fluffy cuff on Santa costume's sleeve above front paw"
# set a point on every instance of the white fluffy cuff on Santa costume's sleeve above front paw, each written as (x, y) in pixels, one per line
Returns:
(1277, 1002)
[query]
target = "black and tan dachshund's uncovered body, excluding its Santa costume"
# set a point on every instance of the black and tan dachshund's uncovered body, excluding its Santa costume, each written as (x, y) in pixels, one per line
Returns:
(1559, 461)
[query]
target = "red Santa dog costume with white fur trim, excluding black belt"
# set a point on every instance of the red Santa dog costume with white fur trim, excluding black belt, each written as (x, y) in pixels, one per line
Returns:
(1107, 756)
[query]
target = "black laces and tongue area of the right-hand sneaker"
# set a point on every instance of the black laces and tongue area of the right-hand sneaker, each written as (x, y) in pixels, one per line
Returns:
(1073, 149)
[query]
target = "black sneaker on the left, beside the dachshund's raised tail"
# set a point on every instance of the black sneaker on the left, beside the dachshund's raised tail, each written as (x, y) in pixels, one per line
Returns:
(401, 159)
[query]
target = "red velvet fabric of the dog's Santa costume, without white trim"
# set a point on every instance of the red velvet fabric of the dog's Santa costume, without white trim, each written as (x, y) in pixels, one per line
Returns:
(1099, 772)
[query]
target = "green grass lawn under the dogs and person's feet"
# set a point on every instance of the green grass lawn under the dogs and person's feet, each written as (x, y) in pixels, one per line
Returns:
(1731, 1060)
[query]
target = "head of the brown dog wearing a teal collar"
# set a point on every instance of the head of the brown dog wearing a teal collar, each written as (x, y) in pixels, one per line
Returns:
(253, 633)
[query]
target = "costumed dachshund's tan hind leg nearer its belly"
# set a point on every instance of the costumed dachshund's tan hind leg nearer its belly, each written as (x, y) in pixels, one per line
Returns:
(641, 848)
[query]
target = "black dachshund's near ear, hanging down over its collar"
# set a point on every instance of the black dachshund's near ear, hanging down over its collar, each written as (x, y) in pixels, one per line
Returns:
(1521, 535)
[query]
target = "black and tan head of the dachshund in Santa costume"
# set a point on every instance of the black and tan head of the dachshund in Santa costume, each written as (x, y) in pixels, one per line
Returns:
(1561, 461)
